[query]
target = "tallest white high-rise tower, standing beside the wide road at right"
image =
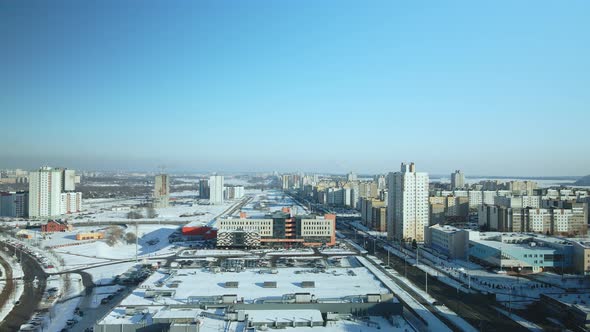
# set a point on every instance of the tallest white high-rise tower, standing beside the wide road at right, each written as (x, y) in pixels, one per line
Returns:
(408, 204)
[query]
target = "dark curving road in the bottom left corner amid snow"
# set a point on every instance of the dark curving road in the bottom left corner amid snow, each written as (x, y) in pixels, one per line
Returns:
(29, 301)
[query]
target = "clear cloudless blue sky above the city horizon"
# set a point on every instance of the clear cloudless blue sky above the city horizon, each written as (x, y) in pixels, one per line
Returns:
(490, 87)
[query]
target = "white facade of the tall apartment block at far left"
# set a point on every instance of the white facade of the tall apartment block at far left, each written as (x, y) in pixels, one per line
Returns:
(45, 187)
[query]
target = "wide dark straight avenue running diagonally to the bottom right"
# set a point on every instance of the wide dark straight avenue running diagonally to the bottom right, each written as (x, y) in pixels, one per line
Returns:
(477, 309)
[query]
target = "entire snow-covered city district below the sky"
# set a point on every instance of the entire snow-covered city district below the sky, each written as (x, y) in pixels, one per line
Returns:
(123, 251)
